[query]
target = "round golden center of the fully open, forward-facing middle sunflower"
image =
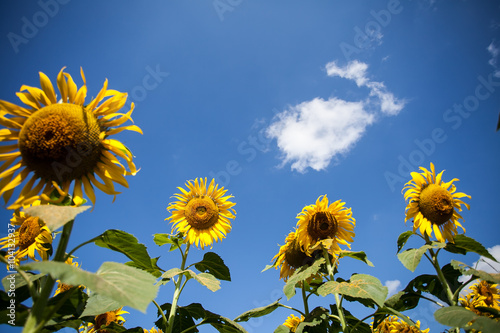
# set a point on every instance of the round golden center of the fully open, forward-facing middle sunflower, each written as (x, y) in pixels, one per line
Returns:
(201, 212)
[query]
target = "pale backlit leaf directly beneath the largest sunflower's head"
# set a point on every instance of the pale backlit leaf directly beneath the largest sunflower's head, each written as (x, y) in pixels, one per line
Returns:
(55, 216)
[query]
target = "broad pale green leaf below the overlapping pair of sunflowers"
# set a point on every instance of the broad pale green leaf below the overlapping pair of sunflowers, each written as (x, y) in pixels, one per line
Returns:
(360, 285)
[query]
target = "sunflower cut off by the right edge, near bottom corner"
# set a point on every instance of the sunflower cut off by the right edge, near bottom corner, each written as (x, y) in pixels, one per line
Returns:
(483, 294)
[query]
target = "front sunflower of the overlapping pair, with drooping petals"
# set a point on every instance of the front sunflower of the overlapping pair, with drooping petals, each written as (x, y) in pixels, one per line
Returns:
(322, 221)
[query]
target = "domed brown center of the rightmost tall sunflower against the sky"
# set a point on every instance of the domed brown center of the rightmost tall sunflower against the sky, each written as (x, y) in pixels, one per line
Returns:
(436, 204)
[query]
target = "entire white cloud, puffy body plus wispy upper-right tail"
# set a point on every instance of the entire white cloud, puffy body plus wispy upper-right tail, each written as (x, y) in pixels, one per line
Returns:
(312, 133)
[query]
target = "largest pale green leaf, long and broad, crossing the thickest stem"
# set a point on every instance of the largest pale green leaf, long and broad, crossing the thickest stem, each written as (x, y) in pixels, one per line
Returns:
(126, 285)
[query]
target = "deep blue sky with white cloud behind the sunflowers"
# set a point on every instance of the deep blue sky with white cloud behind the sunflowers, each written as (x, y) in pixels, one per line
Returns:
(281, 102)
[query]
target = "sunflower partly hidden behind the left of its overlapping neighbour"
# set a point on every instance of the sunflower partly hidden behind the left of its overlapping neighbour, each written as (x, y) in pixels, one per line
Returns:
(290, 257)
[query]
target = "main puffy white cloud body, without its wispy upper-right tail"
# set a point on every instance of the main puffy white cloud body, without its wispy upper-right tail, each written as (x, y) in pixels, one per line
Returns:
(311, 133)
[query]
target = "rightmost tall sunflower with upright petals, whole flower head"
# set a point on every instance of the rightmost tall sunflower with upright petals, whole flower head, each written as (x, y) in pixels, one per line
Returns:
(433, 204)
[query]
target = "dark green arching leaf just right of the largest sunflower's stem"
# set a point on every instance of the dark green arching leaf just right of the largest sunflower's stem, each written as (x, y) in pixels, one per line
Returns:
(127, 244)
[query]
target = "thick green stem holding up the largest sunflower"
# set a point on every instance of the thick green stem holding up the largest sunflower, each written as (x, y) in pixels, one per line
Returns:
(37, 318)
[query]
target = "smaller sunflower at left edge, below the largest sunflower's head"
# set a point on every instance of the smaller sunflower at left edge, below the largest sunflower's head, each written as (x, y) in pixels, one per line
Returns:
(32, 237)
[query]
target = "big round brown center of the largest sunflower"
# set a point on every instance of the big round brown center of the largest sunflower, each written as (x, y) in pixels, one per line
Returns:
(61, 142)
